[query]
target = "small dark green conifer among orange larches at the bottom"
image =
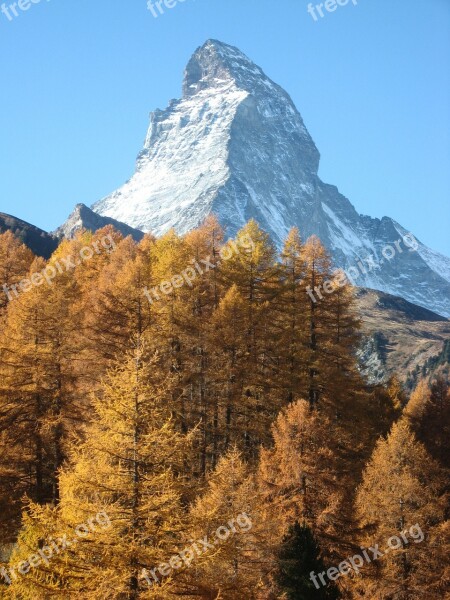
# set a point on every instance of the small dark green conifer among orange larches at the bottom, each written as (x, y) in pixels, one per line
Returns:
(298, 557)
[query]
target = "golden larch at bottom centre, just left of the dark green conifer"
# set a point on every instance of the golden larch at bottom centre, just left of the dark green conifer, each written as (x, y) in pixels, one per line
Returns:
(227, 514)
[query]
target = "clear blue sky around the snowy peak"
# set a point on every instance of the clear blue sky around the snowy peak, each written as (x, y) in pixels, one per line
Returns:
(79, 77)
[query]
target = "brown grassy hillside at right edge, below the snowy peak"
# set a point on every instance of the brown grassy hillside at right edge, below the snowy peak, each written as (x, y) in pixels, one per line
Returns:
(399, 337)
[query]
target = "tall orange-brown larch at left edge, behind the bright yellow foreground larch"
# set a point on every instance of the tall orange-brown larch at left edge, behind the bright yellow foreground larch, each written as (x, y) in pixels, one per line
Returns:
(39, 408)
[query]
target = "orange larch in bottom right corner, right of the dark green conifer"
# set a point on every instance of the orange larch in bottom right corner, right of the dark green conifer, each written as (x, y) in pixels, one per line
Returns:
(401, 492)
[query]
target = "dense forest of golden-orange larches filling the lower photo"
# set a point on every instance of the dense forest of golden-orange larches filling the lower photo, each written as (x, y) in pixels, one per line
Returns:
(208, 436)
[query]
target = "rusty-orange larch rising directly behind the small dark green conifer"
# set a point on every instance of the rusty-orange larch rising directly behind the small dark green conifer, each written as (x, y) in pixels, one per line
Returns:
(300, 476)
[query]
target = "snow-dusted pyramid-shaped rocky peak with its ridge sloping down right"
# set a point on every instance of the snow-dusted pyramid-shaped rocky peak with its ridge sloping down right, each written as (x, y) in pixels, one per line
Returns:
(236, 145)
